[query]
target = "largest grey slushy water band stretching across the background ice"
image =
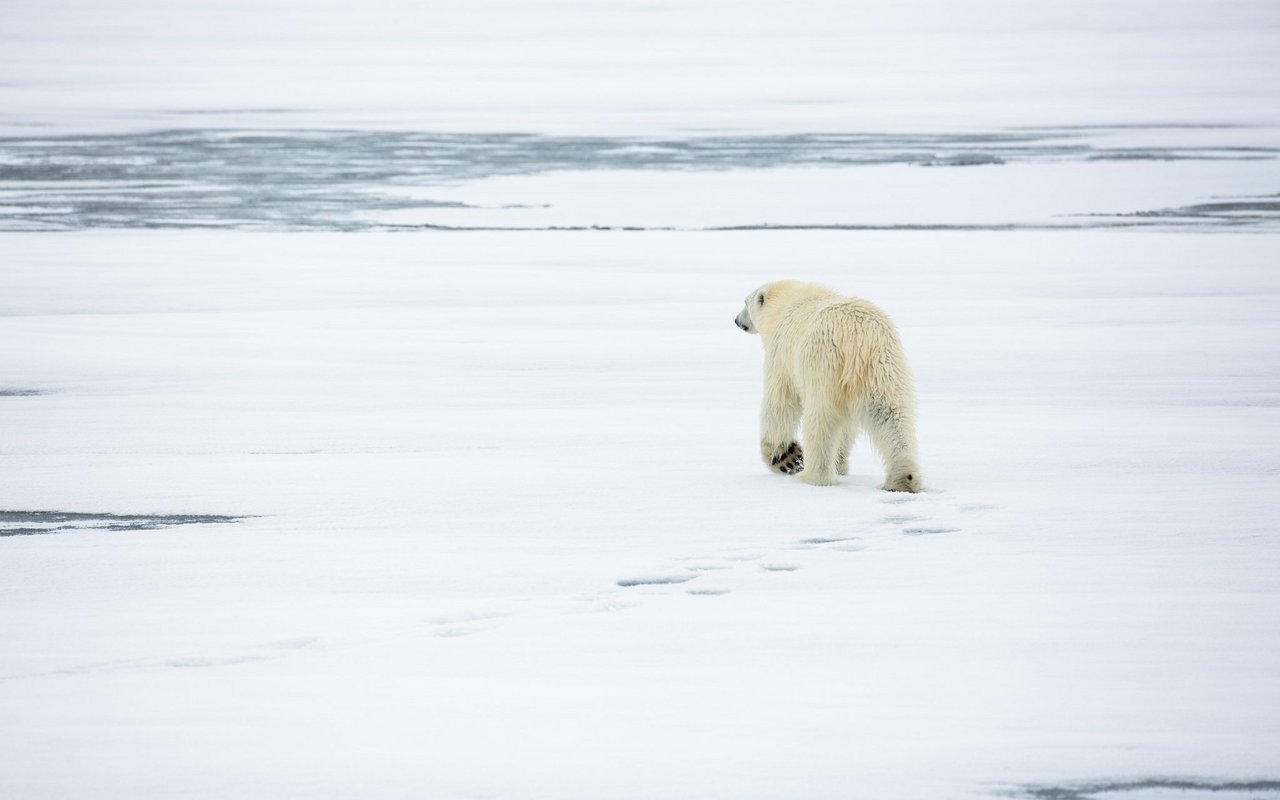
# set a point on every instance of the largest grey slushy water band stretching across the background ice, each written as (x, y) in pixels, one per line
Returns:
(353, 180)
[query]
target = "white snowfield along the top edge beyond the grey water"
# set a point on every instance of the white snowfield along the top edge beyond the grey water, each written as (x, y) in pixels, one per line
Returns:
(637, 67)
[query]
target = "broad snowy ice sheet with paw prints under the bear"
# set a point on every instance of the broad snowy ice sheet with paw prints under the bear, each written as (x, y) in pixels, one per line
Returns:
(501, 506)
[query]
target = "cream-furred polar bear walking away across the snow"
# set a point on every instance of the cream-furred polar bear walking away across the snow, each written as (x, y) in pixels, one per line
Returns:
(834, 365)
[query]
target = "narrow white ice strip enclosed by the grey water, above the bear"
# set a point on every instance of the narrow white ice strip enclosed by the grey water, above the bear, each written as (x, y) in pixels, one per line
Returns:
(897, 195)
